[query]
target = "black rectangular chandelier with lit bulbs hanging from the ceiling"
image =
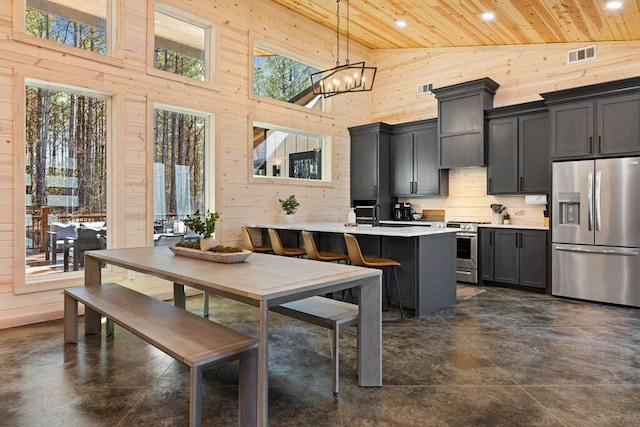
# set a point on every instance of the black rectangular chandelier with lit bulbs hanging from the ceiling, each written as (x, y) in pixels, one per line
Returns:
(346, 77)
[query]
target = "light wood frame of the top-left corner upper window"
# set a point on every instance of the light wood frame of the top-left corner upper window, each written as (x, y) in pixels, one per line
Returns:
(115, 52)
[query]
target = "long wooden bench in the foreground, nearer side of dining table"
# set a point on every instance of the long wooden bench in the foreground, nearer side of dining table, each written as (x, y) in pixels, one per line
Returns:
(198, 343)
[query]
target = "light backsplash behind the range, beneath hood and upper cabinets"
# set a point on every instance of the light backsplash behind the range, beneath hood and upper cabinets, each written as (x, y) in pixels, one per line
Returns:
(468, 200)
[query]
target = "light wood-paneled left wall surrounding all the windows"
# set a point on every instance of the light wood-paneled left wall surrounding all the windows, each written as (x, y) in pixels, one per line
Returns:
(133, 91)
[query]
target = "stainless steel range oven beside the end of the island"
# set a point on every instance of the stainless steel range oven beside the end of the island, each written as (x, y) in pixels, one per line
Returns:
(467, 250)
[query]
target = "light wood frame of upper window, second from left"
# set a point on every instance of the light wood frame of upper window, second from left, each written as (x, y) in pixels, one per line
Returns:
(210, 48)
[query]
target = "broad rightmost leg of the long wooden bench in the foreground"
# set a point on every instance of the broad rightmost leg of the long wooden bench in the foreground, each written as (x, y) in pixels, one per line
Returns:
(248, 389)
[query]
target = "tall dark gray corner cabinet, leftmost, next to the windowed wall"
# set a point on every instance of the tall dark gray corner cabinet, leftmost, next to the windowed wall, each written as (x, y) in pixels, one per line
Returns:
(370, 167)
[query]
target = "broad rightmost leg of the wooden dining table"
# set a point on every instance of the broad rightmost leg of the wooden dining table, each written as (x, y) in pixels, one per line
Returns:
(370, 333)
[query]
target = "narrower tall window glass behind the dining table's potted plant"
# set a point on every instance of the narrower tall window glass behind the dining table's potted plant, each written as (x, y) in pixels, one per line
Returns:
(179, 164)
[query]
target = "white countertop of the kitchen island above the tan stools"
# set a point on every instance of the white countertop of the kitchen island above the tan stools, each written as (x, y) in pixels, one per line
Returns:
(333, 227)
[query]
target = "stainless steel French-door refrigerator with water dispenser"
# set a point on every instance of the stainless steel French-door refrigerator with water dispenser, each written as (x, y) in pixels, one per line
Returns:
(596, 230)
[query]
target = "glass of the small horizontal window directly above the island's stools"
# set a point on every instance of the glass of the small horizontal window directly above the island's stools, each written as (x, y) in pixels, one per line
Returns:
(287, 153)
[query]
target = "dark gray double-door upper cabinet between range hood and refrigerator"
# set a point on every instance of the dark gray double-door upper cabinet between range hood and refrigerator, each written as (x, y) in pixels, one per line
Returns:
(518, 149)
